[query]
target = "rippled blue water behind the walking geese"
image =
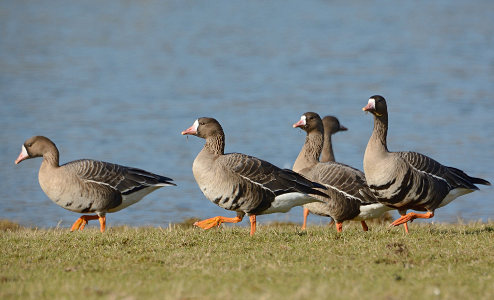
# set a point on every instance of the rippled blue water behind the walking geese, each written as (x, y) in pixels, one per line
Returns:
(118, 81)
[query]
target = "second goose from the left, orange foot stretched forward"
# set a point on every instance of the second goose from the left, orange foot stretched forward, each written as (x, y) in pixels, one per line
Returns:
(243, 183)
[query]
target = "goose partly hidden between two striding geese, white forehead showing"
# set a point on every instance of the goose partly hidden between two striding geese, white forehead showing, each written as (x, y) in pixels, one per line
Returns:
(349, 195)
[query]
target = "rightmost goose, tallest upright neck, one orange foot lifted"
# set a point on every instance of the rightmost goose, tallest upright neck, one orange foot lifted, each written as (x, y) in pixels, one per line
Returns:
(409, 180)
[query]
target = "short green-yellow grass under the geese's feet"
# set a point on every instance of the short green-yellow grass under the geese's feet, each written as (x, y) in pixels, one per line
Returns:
(435, 261)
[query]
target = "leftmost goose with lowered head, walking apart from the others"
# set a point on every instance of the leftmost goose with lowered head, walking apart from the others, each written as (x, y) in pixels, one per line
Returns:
(89, 186)
